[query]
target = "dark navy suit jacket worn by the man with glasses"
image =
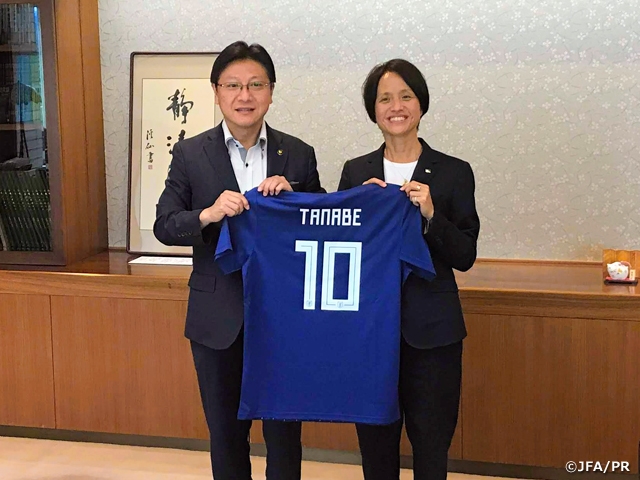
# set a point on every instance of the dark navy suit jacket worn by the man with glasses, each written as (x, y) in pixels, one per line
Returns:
(200, 171)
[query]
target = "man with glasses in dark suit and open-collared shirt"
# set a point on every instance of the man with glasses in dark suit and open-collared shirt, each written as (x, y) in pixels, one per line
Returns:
(209, 174)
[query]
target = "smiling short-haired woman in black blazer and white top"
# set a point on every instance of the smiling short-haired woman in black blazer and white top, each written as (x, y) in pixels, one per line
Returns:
(396, 97)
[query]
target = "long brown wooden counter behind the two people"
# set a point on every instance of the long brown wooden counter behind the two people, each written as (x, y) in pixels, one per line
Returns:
(551, 365)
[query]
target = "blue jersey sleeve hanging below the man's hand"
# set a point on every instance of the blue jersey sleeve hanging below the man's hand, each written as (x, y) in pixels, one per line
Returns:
(237, 238)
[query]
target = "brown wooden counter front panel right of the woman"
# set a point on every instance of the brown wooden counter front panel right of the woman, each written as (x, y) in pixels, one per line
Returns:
(543, 391)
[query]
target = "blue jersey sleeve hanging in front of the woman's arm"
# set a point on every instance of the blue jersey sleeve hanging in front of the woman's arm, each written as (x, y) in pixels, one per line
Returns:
(414, 252)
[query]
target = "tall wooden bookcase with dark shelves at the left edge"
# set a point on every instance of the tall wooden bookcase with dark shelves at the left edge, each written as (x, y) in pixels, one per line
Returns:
(52, 174)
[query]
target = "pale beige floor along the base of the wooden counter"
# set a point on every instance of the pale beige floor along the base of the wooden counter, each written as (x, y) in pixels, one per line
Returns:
(29, 459)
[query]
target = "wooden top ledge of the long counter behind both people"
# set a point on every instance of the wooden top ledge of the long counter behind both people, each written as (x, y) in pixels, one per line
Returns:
(575, 290)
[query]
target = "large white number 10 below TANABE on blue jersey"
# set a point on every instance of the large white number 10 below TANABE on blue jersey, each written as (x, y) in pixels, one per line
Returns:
(331, 249)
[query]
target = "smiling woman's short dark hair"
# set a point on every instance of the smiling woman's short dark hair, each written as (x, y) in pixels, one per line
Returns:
(409, 73)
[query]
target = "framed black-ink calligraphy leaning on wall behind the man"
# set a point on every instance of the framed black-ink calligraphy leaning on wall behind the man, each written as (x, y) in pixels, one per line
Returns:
(170, 99)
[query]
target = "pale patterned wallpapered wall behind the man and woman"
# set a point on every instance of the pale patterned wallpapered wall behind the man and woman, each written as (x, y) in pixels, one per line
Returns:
(542, 98)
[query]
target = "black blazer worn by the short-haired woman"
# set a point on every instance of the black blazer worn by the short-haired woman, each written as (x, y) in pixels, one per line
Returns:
(431, 311)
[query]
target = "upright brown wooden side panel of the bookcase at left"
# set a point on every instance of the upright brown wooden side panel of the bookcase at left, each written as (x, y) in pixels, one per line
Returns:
(81, 129)
